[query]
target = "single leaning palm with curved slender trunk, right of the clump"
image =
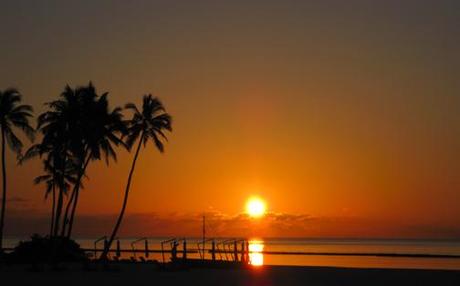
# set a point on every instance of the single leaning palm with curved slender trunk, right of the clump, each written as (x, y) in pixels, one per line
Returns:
(148, 124)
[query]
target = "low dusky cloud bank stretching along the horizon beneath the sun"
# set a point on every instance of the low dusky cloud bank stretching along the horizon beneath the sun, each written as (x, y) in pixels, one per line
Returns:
(177, 224)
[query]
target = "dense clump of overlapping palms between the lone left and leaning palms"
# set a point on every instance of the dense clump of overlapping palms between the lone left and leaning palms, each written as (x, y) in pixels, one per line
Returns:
(77, 128)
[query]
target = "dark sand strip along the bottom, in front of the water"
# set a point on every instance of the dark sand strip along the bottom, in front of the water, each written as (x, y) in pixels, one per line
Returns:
(138, 274)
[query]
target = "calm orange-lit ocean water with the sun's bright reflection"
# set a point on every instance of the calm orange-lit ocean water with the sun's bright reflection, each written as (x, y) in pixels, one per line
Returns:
(260, 251)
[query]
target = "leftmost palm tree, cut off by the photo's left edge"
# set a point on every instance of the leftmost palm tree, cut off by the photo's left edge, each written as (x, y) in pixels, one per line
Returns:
(12, 114)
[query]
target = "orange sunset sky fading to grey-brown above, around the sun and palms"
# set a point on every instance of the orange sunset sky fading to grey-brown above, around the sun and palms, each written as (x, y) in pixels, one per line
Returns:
(344, 116)
